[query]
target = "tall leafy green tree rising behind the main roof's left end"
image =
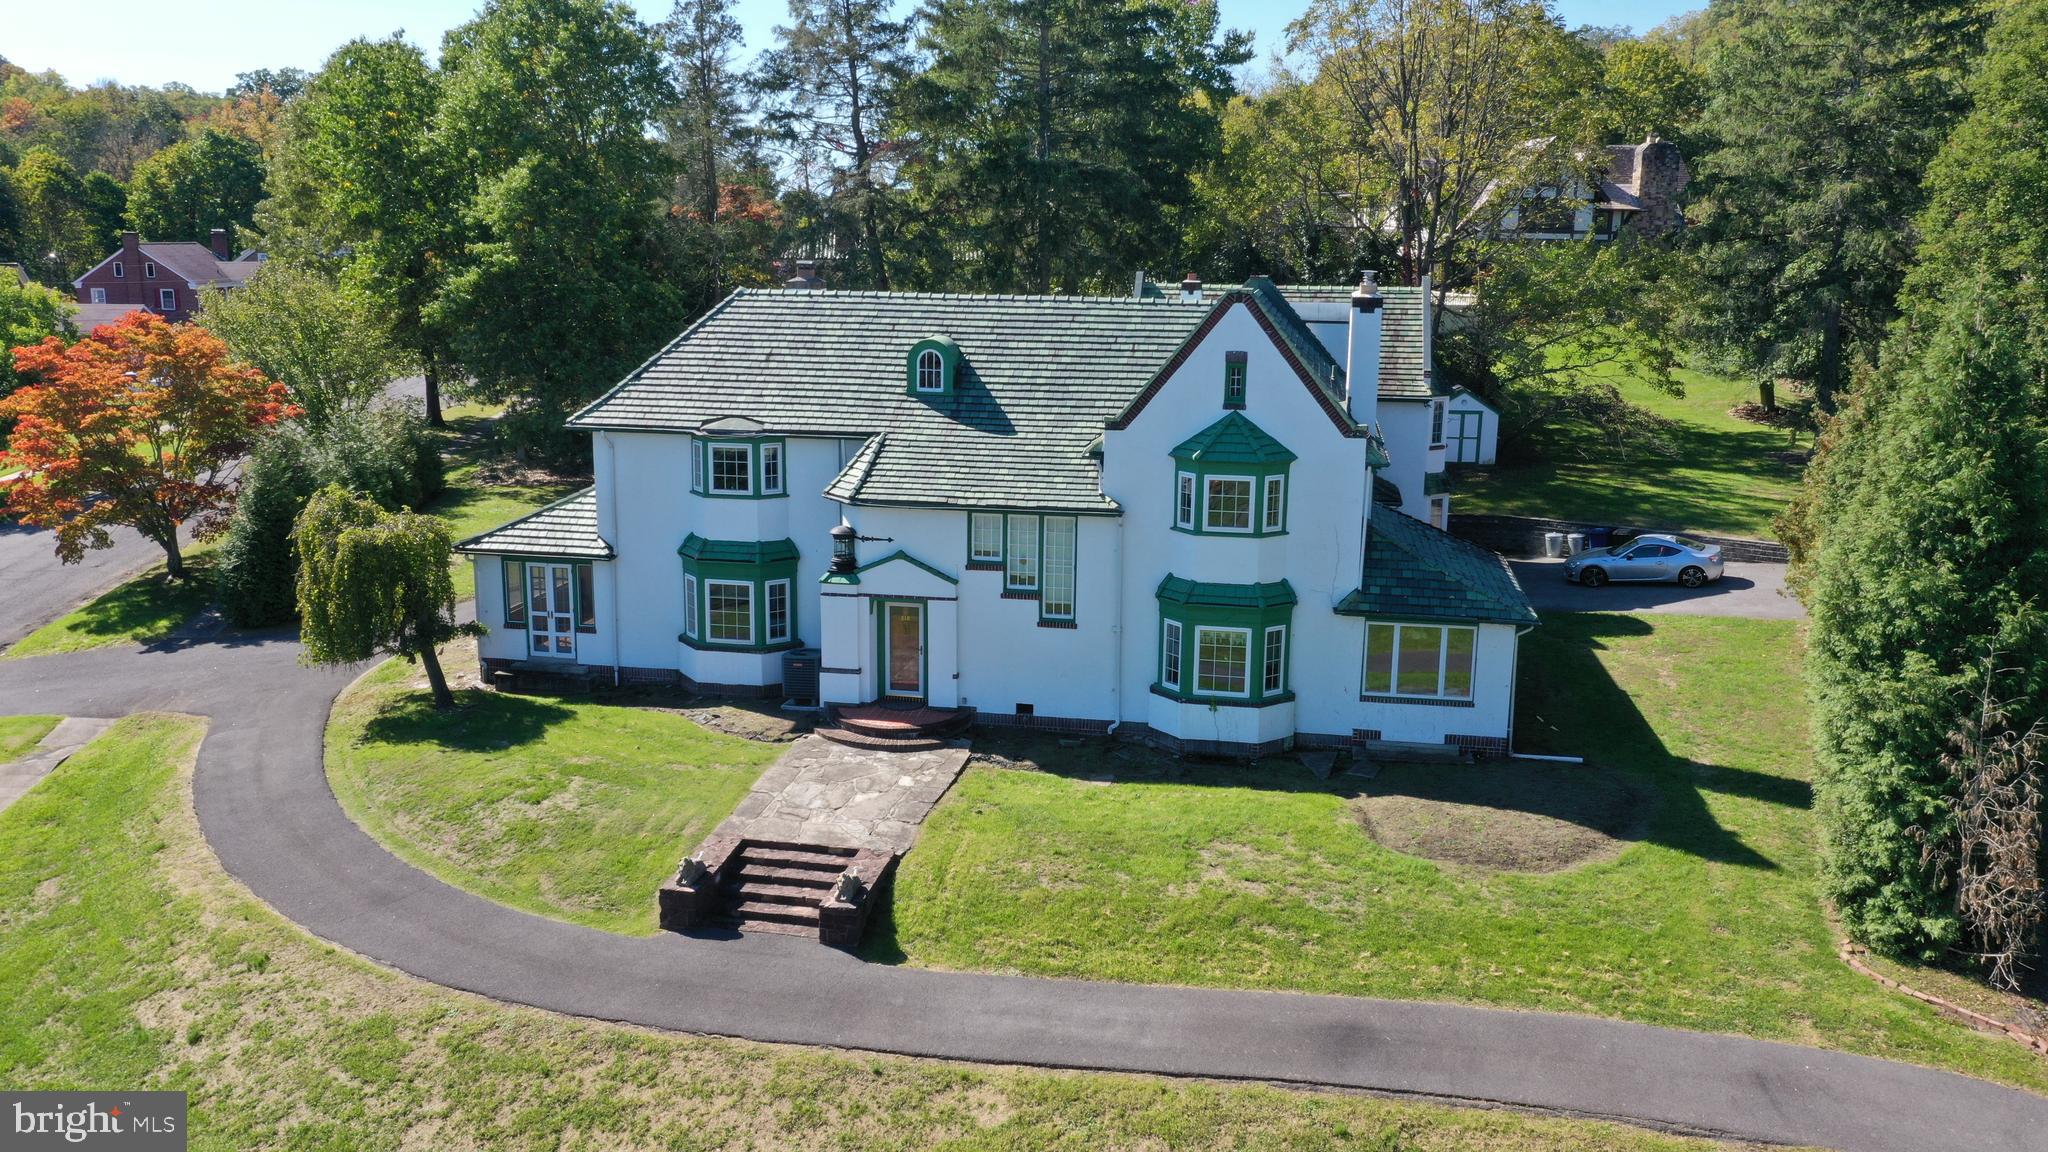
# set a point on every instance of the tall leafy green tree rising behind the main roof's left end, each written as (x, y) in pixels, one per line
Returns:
(562, 286)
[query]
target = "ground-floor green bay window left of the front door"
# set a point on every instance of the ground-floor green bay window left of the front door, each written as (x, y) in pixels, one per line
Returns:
(740, 595)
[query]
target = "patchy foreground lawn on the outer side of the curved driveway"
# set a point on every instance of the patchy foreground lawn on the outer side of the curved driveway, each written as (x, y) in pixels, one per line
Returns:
(130, 960)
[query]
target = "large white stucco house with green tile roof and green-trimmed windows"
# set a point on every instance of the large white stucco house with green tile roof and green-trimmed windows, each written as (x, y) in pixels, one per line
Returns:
(1142, 516)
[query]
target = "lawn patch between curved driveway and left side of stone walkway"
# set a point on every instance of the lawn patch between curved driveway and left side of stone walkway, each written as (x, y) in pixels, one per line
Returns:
(566, 809)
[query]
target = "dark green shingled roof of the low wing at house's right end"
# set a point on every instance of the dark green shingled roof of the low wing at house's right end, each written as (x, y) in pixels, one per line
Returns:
(1414, 571)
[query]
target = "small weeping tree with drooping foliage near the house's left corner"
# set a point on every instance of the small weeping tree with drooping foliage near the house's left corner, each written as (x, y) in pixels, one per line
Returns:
(376, 583)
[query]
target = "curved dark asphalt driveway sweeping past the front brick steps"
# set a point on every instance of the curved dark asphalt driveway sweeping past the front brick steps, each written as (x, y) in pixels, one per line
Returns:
(265, 807)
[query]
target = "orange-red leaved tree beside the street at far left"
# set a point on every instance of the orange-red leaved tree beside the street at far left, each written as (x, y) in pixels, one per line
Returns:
(142, 423)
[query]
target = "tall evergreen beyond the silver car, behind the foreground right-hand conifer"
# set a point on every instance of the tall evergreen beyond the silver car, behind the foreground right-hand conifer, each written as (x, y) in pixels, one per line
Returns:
(1824, 120)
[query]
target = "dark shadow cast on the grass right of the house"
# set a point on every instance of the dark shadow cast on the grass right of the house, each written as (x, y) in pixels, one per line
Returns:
(1572, 706)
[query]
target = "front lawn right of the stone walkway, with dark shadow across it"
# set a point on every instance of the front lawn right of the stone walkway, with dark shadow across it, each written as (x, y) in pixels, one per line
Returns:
(1265, 878)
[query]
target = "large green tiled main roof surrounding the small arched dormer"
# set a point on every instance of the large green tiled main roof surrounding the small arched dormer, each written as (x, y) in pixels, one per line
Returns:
(1037, 382)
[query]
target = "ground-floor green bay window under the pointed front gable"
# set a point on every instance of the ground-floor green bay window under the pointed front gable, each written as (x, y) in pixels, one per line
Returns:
(1226, 645)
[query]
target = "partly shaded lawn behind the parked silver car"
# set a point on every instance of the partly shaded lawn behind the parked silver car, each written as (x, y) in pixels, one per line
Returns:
(1723, 481)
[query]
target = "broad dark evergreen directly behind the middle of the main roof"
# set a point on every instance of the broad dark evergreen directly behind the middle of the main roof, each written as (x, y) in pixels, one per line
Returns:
(1058, 140)
